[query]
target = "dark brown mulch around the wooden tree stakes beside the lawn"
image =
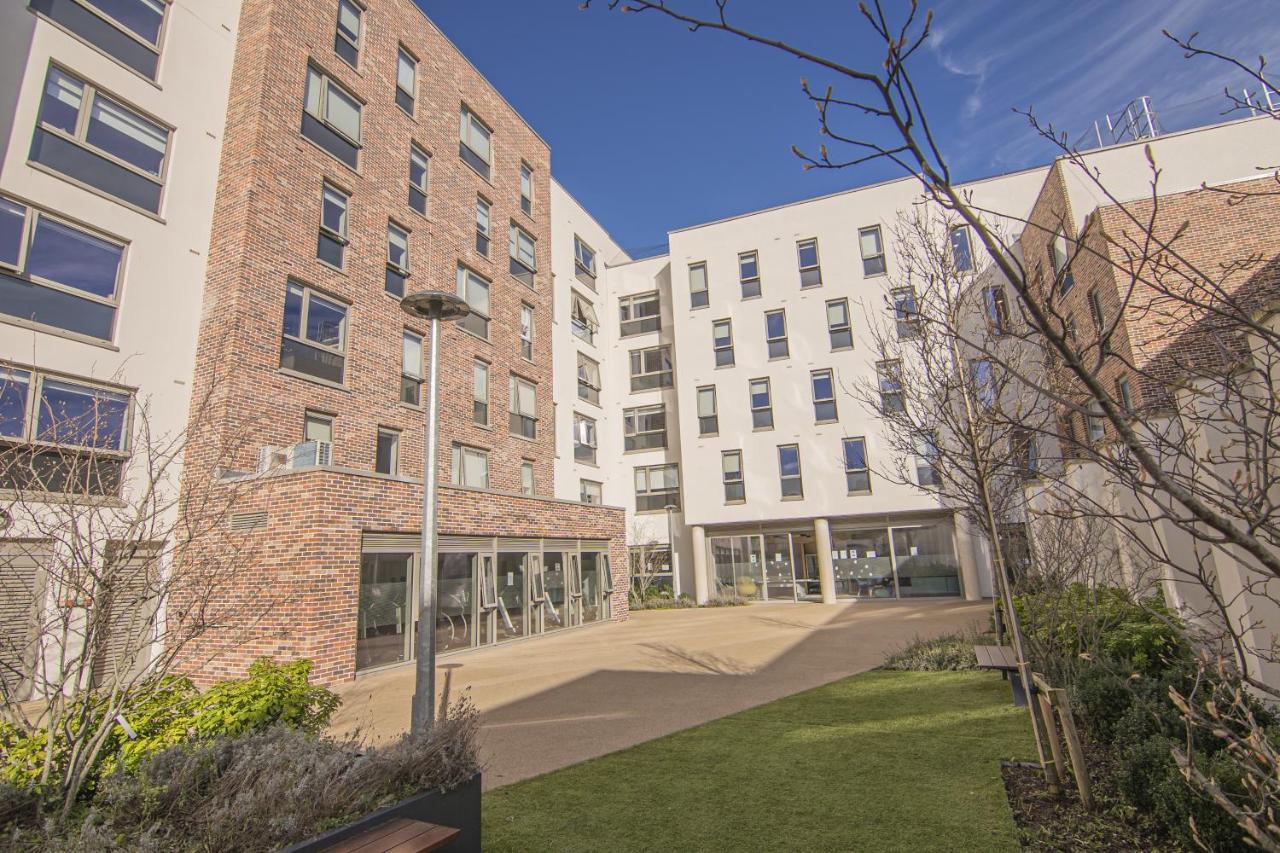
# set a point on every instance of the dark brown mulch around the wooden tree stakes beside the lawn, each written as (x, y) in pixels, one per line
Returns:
(1059, 824)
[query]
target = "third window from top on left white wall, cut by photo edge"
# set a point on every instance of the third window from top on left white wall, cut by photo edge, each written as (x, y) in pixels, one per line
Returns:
(58, 275)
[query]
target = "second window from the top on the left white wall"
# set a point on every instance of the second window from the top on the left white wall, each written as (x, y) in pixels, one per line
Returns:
(100, 143)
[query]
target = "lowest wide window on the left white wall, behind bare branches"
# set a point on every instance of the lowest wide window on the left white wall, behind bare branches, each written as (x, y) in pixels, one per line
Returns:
(61, 435)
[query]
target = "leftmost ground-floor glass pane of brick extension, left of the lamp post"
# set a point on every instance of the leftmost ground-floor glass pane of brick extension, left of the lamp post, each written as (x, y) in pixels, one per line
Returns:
(382, 633)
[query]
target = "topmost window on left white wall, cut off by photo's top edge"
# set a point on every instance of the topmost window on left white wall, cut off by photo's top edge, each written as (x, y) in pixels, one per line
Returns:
(127, 31)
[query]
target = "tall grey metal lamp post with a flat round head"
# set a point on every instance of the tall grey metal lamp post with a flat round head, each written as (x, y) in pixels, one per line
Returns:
(432, 307)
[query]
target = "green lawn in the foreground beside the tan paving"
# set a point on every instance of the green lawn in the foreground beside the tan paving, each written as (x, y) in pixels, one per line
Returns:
(881, 761)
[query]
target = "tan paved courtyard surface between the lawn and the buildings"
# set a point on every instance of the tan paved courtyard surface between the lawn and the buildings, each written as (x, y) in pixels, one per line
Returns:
(555, 701)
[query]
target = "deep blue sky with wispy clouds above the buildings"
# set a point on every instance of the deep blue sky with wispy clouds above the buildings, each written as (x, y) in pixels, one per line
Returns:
(653, 127)
